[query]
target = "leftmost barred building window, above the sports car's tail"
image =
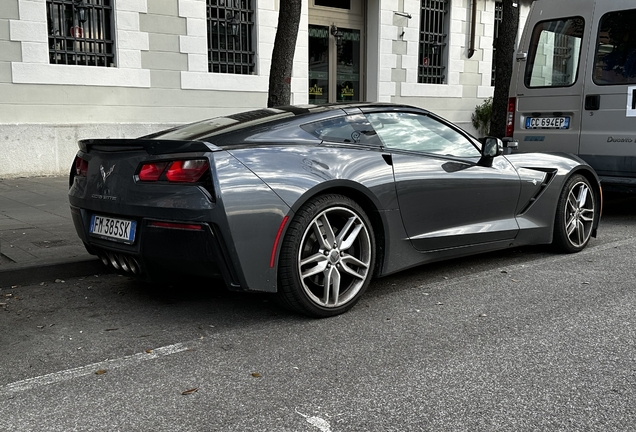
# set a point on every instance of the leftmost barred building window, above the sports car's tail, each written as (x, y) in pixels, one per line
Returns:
(81, 32)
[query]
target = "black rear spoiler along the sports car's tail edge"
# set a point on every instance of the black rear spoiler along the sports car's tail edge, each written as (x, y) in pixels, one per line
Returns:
(149, 145)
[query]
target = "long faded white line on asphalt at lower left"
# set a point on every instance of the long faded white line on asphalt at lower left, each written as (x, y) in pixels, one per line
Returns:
(107, 365)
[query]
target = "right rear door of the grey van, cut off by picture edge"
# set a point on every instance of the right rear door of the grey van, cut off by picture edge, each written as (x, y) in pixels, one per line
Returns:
(608, 127)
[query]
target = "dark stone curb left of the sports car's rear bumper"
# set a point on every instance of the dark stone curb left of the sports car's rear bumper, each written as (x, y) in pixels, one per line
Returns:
(29, 274)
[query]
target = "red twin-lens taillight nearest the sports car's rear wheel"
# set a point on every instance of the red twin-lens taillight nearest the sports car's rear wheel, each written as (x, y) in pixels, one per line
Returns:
(179, 171)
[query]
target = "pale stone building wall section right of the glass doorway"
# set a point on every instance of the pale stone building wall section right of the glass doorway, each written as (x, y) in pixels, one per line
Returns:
(468, 79)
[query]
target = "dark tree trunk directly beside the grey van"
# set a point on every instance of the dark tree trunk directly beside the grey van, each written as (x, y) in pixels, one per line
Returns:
(503, 66)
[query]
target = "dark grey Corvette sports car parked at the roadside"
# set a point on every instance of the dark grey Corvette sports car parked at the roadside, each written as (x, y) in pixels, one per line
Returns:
(311, 202)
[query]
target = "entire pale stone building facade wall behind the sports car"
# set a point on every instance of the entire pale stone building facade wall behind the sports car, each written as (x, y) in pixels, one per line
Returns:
(161, 78)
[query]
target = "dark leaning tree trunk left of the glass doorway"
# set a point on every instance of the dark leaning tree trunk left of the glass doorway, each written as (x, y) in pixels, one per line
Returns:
(283, 54)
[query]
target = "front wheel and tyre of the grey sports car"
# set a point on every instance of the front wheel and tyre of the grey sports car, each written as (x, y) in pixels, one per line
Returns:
(575, 216)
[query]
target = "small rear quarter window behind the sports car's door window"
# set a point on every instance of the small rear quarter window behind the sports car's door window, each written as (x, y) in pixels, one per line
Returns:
(351, 129)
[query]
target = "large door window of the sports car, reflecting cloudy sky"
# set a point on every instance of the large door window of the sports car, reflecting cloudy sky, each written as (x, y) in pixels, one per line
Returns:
(417, 132)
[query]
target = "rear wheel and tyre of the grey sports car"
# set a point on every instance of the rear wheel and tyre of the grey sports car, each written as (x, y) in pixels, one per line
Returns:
(330, 239)
